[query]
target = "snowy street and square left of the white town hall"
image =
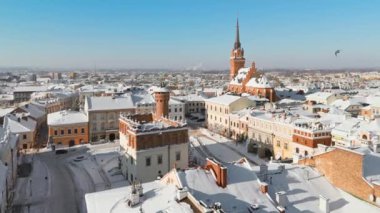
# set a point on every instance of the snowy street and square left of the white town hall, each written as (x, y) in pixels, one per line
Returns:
(57, 183)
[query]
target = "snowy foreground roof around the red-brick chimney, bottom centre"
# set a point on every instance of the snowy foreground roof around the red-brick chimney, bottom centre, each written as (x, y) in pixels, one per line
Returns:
(241, 191)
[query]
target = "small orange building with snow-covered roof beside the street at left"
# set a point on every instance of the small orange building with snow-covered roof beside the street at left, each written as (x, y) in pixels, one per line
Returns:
(68, 128)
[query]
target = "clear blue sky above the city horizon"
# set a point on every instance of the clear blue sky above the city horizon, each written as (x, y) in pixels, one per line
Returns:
(181, 34)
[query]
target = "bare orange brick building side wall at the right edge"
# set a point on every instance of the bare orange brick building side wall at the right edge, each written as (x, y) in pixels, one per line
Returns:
(354, 171)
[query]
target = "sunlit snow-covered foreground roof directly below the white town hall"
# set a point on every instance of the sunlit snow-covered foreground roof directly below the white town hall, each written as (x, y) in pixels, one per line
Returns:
(157, 198)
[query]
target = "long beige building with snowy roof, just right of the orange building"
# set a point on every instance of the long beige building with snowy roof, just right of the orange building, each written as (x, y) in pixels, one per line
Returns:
(103, 112)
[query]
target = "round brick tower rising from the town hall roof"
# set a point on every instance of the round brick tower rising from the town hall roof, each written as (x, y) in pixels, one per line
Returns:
(162, 96)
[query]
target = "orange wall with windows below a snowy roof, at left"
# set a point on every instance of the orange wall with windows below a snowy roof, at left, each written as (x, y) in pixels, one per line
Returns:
(66, 138)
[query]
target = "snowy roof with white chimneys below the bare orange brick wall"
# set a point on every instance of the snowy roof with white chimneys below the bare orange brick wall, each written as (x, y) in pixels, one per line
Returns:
(303, 185)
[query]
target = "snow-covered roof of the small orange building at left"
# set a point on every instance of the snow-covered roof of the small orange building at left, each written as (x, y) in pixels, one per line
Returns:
(66, 117)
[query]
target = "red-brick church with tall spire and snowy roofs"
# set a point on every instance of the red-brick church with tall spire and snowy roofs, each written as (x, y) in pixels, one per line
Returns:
(245, 80)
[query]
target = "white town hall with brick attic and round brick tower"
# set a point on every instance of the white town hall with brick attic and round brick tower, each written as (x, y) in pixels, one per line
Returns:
(152, 144)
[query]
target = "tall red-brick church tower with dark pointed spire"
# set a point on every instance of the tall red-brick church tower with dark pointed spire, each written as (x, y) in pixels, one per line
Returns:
(237, 59)
